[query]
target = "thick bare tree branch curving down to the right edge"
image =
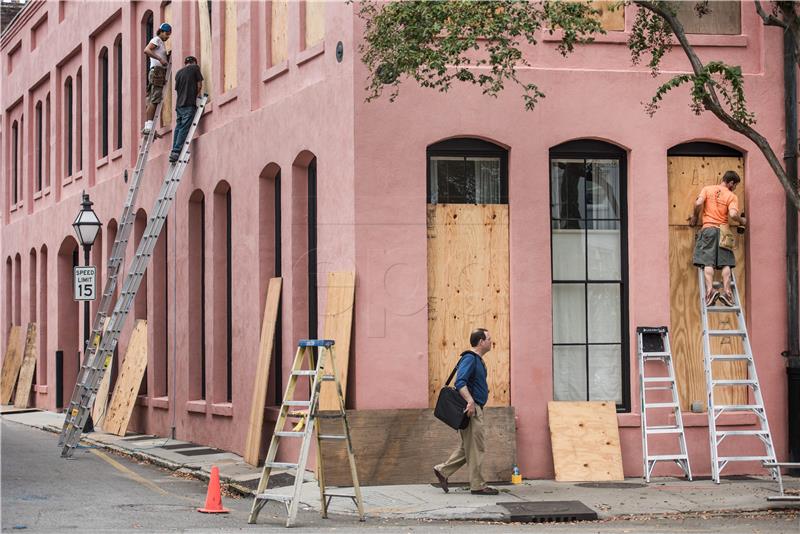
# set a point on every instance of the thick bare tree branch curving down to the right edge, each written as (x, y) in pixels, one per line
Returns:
(711, 102)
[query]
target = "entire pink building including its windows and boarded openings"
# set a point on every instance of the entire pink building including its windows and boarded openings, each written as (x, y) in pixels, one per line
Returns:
(579, 208)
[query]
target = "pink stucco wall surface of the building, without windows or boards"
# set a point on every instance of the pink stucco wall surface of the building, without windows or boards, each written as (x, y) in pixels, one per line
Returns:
(371, 202)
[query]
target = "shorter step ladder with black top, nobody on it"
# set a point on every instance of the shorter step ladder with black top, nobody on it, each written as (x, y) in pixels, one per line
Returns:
(653, 343)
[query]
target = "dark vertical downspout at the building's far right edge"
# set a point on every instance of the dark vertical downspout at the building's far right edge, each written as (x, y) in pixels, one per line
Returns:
(792, 353)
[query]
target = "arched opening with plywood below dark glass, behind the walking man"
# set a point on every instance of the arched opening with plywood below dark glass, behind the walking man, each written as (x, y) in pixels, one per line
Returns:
(468, 270)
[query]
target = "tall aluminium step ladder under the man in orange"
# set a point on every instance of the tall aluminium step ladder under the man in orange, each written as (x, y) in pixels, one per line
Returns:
(716, 437)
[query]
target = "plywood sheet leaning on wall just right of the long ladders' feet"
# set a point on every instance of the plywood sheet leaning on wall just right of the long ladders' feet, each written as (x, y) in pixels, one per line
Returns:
(130, 377)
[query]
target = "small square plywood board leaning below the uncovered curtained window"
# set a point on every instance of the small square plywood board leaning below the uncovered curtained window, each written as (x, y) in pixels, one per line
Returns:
(585, 441)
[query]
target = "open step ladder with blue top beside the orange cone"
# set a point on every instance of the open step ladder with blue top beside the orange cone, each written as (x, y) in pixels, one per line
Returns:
(320, 369)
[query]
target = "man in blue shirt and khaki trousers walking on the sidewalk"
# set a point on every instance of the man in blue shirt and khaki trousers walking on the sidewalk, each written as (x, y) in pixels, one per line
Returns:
(471, 384)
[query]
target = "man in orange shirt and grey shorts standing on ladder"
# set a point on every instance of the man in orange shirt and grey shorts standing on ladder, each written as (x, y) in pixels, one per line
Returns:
(718, 205)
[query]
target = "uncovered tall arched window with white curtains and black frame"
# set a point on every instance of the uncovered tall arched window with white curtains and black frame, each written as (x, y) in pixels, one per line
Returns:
(589, 270)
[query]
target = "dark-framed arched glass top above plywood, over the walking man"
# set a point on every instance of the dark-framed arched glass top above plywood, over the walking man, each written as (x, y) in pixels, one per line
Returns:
(467, 171)
